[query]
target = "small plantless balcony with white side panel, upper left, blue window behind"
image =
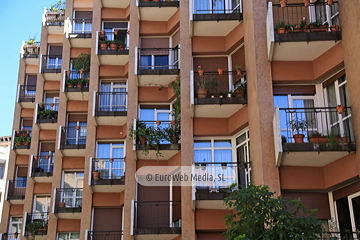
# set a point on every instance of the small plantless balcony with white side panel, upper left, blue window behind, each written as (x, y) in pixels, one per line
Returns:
(50, 67)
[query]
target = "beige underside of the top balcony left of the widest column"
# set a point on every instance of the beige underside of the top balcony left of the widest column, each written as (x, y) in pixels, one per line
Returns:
(217, 25)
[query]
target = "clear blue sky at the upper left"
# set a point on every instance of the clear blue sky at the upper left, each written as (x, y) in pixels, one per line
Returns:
(19, 20)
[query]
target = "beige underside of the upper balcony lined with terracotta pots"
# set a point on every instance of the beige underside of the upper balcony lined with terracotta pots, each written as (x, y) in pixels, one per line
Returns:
(113, 57)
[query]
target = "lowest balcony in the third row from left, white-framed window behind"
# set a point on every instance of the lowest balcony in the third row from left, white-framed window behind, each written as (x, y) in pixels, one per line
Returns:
(68, 203)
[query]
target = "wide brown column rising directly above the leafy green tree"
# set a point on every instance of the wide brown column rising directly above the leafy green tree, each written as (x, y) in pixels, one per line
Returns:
(260, 97)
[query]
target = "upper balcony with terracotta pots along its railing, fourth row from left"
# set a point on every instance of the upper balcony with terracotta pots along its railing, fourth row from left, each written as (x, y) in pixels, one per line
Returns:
(117, 55)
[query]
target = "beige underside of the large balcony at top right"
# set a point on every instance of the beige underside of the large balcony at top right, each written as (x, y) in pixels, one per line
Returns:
(296, 46)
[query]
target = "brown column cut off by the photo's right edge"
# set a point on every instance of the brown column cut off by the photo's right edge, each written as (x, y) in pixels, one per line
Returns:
(351, 50)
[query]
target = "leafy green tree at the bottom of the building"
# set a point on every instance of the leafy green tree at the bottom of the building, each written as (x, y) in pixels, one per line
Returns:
(259, 214)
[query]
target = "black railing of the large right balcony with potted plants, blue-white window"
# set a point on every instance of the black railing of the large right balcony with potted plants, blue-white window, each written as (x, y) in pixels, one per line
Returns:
(318, 125)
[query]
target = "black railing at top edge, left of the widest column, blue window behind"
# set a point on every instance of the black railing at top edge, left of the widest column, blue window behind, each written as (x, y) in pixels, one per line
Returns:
(217, 7)
